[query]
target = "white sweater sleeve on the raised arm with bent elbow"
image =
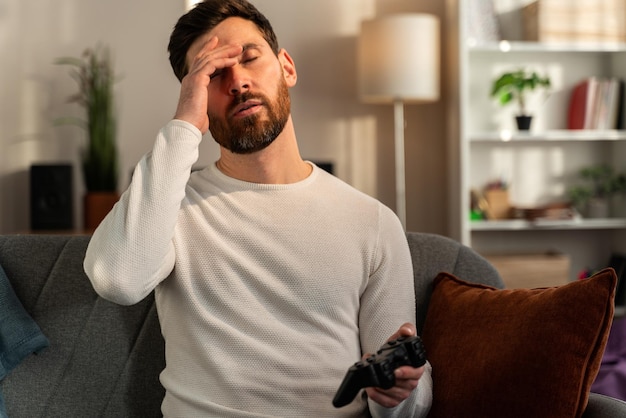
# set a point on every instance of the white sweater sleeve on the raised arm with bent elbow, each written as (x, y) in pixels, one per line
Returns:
(131, 251)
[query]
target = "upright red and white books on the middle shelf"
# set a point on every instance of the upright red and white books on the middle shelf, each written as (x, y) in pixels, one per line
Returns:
(598, 104)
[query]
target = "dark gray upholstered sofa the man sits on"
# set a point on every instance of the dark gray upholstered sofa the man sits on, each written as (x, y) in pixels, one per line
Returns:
(104, 359)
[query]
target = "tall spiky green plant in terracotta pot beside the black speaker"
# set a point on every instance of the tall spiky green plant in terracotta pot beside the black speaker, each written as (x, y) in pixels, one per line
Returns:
(93, 72)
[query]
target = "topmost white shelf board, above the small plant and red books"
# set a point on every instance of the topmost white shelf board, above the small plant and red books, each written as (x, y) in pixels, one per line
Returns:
(513, 46)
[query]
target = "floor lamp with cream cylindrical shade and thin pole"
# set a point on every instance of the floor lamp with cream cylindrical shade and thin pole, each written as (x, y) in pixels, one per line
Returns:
(398, 62)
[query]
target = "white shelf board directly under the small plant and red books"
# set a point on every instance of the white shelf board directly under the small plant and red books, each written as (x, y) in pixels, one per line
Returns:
(548, 136)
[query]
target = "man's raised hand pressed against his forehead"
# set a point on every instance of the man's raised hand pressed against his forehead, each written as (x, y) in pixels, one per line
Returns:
(194, 95)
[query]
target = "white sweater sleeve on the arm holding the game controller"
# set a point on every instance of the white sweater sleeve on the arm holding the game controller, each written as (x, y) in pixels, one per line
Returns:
(387, 303)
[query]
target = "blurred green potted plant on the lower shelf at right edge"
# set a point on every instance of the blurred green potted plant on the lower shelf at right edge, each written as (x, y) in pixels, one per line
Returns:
(601, 183)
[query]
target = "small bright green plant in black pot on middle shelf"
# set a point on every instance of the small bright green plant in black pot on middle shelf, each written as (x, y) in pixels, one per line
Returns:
(513, 87)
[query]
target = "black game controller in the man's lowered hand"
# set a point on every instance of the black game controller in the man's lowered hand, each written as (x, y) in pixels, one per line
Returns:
(378, 369)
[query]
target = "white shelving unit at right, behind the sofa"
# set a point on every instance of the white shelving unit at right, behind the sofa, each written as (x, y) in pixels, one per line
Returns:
(540, 164)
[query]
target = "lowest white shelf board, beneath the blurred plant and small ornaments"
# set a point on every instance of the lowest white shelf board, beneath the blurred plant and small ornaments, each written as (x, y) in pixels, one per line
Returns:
(524, 225)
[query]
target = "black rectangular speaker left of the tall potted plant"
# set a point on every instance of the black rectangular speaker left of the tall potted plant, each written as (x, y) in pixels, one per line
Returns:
(51, 197)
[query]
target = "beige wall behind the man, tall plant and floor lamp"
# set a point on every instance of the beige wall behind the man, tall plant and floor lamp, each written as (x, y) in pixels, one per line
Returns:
(331, 123)
